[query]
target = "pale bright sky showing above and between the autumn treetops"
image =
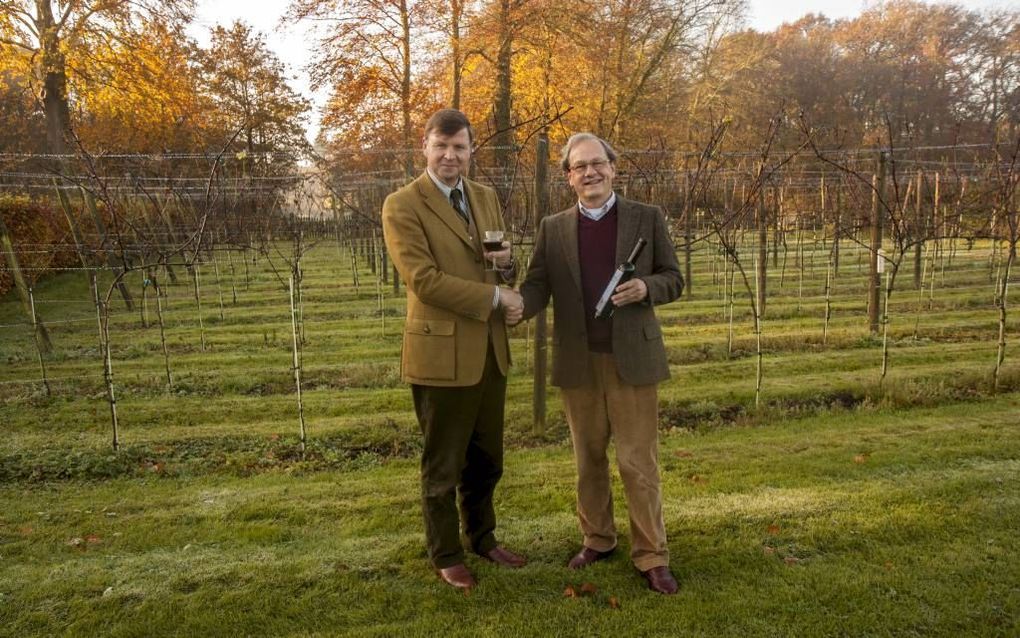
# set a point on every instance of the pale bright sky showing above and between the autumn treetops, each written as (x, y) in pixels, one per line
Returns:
(292, 44)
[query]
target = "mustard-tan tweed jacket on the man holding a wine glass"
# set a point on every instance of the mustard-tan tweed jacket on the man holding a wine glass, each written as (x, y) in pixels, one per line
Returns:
(450, 315)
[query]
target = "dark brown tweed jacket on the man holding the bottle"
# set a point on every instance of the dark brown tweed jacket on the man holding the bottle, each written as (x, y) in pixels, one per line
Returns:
(555, 271)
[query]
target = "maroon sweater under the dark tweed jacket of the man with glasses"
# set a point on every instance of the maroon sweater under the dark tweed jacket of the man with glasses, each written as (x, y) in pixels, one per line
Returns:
(597, 252)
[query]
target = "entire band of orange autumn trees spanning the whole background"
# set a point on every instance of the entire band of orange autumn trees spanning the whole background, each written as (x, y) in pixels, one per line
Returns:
(123, 77)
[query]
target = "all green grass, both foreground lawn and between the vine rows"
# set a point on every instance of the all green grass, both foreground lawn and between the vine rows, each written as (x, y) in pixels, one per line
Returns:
(841, 506)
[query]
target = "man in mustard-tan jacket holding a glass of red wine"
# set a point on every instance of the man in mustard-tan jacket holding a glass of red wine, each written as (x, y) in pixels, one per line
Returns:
(455, 353)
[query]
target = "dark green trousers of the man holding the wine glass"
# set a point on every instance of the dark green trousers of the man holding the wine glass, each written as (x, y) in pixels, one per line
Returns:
(464, 455)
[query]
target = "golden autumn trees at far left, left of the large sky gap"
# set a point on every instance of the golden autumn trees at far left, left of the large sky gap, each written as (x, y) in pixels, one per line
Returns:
(122, 76)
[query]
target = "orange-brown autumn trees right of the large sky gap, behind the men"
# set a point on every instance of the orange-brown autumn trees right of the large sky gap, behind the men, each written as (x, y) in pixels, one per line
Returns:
(665, 75)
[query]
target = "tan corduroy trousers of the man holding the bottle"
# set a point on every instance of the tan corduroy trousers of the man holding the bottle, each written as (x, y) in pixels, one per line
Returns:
(607, 408)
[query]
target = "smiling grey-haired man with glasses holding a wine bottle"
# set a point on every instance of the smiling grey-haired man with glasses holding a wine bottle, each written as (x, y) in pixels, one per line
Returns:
(608, 370)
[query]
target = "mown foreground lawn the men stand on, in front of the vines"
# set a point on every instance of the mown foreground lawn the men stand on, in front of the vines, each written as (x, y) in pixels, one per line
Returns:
(876, 522)
